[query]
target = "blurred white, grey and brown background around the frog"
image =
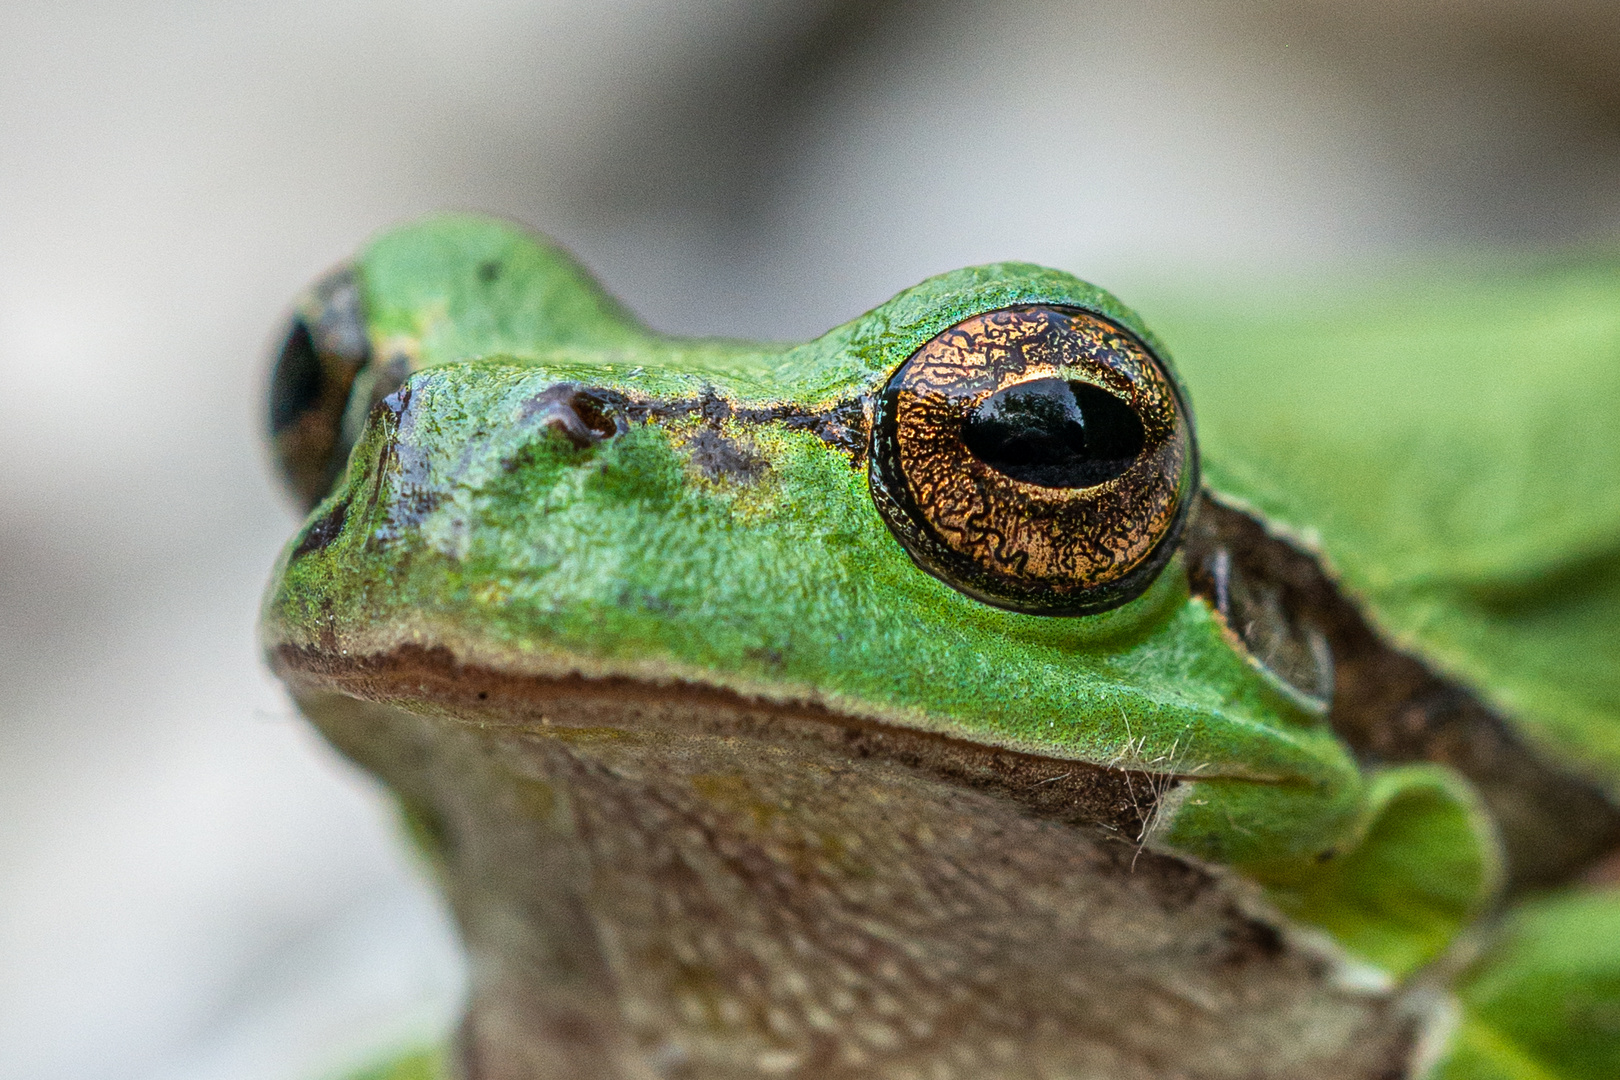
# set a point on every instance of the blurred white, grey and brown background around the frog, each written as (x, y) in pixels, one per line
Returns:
(192, 887)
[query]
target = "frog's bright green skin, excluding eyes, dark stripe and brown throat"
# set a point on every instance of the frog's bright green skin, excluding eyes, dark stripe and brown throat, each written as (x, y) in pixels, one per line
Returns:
(488, 537)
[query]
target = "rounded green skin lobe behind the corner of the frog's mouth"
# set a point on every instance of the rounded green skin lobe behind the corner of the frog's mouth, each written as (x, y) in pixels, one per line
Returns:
(1391, 872)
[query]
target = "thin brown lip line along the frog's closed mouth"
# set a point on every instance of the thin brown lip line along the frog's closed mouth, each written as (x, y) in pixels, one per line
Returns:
(1076, 793)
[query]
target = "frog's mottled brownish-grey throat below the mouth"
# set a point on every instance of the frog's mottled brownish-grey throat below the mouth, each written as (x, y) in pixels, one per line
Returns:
(650, 883)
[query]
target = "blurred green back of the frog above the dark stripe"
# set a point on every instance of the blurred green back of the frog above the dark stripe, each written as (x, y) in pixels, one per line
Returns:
(1451, 446)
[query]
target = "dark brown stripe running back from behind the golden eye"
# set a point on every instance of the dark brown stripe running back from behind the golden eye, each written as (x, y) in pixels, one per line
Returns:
(1392, 708)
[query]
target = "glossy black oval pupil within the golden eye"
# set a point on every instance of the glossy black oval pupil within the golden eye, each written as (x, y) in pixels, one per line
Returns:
(1055, 433)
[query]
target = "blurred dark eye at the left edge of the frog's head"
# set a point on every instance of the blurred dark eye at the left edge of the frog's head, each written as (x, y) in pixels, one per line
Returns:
(315, 372)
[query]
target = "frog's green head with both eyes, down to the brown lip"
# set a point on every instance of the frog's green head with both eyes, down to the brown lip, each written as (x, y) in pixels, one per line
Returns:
(953, 525)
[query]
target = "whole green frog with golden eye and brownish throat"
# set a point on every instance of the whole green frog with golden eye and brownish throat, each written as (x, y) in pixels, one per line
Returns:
(944, 699)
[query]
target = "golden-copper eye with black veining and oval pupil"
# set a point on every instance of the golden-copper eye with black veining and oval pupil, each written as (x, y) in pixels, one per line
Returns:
(1038, 459)
